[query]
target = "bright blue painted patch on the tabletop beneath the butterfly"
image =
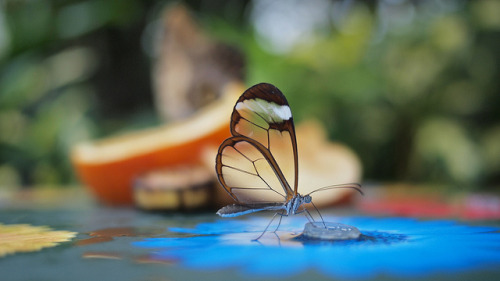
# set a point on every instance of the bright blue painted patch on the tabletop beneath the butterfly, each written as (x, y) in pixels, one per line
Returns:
(402, 247)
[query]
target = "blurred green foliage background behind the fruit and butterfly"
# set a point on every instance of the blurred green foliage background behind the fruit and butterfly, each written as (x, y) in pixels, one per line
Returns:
(411, 86)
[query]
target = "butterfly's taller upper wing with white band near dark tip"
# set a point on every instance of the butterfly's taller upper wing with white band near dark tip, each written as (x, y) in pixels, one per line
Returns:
(262, 114)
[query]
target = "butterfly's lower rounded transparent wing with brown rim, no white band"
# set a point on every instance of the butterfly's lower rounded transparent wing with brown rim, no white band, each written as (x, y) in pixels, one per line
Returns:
(249, 173)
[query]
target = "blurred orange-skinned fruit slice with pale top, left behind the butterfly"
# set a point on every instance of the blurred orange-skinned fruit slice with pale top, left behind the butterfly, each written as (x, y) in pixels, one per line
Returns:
(109, 166)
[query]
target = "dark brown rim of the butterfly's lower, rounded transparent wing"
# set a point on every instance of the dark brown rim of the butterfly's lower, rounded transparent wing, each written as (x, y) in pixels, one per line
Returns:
(268, 156)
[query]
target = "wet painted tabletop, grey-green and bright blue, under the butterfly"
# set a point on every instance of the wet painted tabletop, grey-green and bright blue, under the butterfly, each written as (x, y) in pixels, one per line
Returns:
(127, 244)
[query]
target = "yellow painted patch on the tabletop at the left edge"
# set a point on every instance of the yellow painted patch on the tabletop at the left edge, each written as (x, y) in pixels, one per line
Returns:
(16, 238)
